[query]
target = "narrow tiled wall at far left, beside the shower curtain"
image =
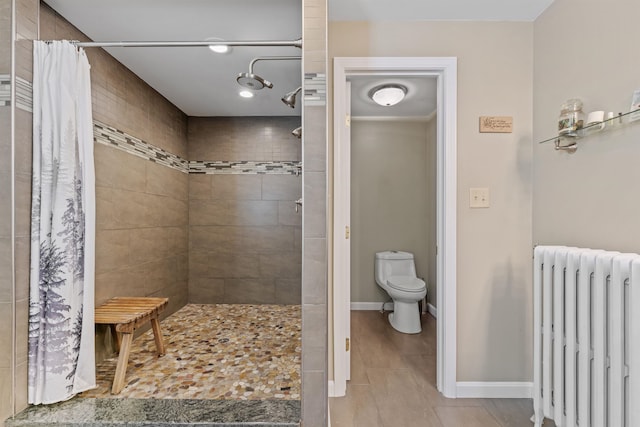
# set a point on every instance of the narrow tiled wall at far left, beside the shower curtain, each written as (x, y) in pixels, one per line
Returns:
(15, 193)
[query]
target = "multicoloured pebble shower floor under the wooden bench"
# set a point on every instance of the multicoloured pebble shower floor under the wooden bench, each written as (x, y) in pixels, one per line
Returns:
(214, 351)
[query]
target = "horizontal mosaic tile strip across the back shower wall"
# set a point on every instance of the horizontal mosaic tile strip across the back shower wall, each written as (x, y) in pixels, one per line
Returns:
(245, 167)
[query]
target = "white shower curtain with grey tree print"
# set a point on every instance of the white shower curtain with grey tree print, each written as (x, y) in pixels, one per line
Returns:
(61, 297)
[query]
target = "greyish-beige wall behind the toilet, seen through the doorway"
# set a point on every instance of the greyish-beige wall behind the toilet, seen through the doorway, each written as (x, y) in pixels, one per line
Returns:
(392, 195)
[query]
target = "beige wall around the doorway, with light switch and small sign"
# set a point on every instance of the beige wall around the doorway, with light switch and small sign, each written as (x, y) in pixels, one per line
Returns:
(494, 245)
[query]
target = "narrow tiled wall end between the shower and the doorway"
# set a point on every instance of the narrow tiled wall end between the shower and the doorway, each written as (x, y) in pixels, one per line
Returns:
(314, 246)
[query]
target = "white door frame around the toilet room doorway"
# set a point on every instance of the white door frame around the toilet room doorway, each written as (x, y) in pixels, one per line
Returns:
(445, 69)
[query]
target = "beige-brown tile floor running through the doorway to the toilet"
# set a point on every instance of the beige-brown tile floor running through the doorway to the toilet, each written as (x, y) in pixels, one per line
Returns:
(393, 383)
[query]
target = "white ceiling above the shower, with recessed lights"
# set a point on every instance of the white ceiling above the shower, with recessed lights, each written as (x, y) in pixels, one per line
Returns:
(196, 80)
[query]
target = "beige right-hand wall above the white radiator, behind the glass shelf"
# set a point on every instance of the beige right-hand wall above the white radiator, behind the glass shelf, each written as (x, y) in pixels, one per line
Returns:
(580, 199)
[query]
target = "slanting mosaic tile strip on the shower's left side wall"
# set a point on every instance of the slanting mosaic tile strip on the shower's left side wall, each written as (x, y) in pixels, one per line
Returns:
(107, 135)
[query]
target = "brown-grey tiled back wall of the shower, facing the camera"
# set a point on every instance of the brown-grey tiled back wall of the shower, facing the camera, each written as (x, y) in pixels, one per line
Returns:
(244, 232)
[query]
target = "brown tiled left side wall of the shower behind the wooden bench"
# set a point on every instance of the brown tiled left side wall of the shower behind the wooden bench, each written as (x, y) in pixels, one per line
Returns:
(141, 206)
